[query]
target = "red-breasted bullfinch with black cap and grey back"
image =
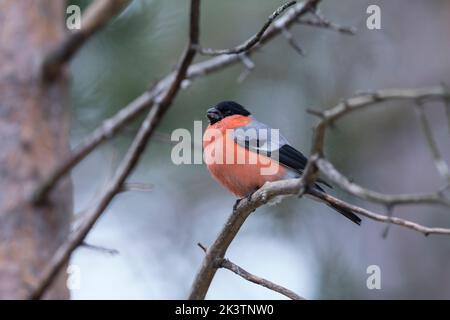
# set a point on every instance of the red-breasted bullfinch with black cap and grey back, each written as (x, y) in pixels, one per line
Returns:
(242, 154)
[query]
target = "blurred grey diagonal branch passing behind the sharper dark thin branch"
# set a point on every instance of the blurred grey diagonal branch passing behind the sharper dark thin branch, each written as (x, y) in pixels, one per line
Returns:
(113, 125)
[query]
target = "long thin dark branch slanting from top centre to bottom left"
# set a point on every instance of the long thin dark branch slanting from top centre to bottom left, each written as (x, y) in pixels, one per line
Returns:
(127, 165)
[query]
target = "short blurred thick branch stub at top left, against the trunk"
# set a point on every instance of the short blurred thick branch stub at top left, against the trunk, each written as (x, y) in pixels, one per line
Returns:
(97, 15)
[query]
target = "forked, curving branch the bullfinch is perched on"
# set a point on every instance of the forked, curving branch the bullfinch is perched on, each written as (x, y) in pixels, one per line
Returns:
(270, 190)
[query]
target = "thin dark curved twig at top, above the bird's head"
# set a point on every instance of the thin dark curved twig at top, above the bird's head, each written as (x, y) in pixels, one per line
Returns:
(253, 40)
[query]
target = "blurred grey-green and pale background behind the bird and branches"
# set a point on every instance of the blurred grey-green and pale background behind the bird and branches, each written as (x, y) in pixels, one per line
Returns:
(299, 244)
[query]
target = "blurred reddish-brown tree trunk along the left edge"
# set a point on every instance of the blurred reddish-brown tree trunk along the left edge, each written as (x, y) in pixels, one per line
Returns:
(33, 139)
